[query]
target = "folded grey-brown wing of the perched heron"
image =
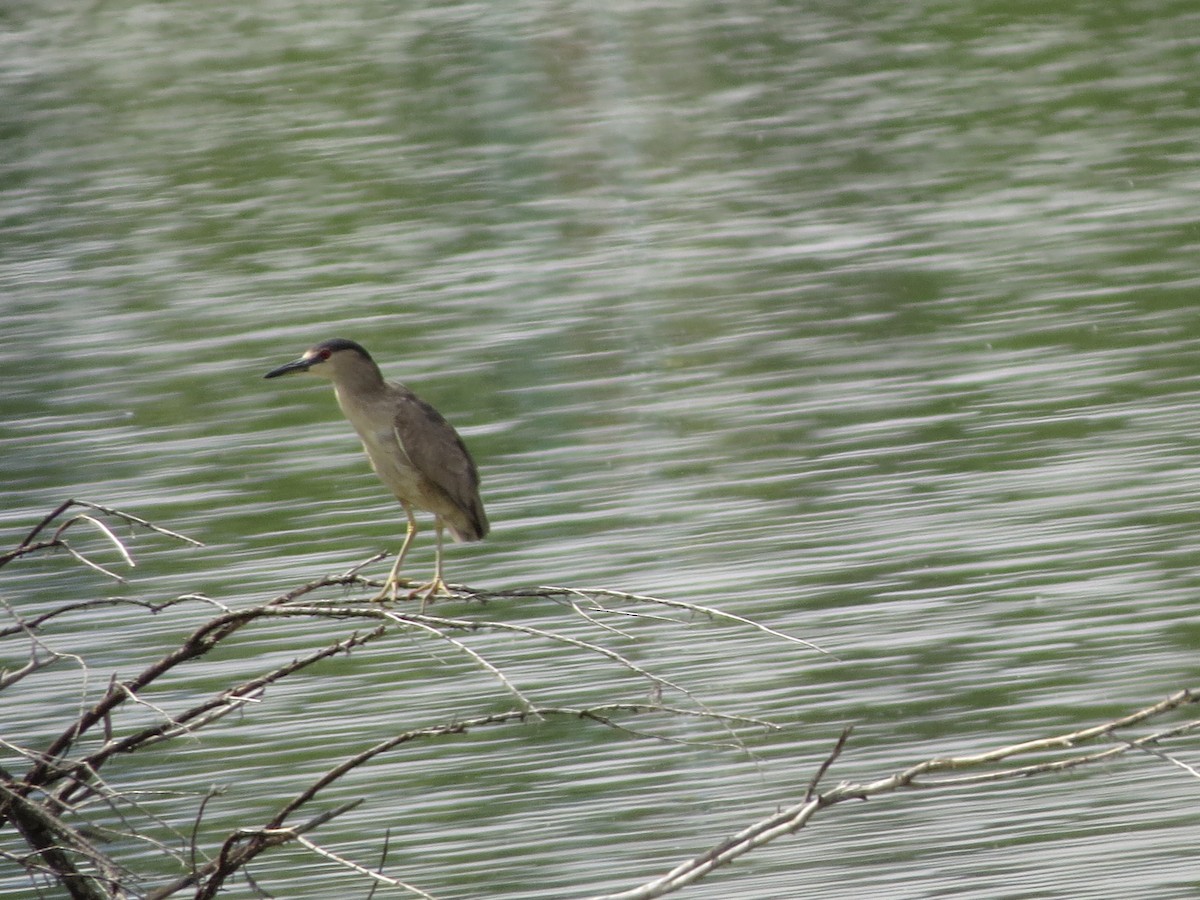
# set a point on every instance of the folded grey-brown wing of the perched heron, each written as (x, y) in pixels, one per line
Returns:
(439, 454)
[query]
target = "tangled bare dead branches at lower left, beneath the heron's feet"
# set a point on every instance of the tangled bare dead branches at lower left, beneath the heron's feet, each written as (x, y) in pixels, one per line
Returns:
(64, 779)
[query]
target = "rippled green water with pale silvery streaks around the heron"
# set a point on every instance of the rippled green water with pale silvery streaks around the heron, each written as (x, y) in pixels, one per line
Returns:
(874, 326)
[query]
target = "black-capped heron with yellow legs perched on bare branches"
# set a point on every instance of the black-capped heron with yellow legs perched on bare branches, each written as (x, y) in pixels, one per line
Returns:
(413, 449)
